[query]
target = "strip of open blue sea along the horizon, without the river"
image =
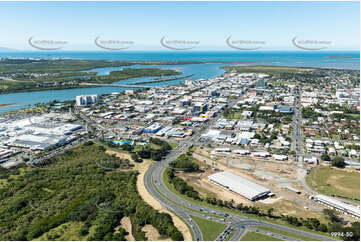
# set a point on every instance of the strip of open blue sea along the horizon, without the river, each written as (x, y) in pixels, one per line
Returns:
(289, 58)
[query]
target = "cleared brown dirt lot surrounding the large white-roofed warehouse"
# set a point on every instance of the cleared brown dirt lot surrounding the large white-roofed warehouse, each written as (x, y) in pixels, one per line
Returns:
(273, 175)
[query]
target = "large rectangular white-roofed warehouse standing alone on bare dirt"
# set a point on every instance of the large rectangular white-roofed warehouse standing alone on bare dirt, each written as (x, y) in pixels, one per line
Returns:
(237, 184)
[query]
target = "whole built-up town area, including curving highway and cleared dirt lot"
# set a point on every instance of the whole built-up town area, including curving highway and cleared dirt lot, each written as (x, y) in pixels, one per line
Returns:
(242, 141)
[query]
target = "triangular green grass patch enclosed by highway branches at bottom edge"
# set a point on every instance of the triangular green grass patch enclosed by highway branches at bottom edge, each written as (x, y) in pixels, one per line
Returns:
(209, 229)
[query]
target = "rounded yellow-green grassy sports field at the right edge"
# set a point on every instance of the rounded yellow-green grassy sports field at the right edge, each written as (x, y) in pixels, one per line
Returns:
(328, 181)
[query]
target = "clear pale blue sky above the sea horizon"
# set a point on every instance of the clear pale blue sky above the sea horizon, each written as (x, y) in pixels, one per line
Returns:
(206, 25)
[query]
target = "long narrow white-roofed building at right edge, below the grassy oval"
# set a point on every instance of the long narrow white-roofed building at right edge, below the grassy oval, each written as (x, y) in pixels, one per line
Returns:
(338, 205)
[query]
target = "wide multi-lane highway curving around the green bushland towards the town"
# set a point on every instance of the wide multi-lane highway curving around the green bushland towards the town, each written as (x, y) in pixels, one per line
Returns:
(183, 208)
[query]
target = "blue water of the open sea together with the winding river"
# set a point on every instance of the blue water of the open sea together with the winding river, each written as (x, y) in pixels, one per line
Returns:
(320, 59)
